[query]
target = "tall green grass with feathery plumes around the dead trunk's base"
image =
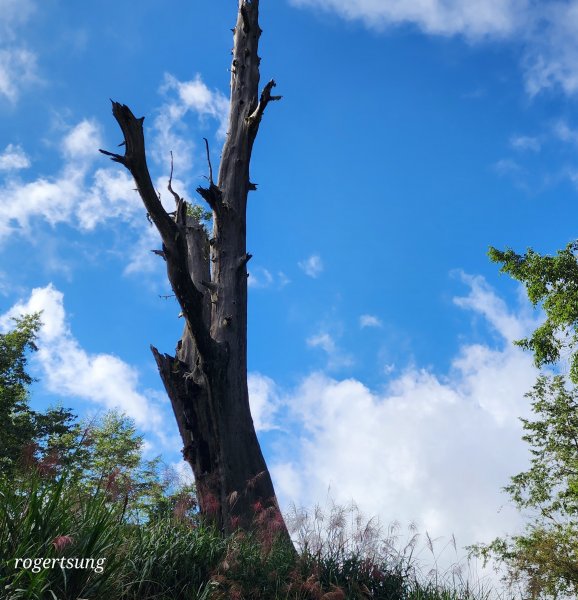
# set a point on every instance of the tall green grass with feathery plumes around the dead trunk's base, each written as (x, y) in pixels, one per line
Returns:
(340, 555)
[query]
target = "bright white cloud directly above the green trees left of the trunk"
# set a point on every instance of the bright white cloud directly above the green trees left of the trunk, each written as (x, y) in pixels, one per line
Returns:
(70, 371)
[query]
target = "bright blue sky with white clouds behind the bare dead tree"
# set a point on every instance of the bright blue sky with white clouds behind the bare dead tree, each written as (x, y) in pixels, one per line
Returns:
(411, 136)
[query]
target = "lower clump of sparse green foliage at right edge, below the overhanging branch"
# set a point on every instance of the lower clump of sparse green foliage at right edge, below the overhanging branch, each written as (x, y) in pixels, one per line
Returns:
(545, 557)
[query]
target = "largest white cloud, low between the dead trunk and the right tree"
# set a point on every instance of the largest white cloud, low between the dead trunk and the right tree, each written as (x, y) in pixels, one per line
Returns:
(427, 448)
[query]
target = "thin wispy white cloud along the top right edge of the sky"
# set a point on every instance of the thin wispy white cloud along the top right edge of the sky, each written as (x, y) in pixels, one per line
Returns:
(545, 32)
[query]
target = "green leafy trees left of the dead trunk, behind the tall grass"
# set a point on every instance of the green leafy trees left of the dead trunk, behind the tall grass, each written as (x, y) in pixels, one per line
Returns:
(105, 452)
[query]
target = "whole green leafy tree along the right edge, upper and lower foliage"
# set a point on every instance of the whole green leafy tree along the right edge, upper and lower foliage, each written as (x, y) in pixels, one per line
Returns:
(544, 558)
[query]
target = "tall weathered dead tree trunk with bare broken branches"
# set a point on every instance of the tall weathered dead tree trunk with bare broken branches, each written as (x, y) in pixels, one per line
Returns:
(207, 378)
